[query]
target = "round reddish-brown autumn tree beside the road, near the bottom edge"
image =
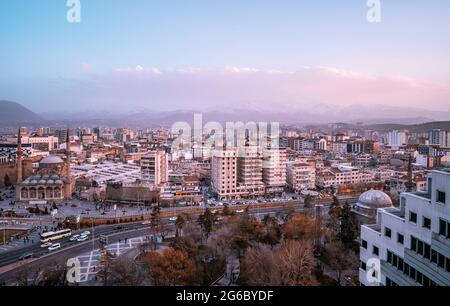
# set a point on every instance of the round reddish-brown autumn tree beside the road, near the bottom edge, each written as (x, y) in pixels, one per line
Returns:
(171, 268)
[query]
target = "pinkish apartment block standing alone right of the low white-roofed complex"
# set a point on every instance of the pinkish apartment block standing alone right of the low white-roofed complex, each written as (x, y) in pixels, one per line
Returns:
(155, 167)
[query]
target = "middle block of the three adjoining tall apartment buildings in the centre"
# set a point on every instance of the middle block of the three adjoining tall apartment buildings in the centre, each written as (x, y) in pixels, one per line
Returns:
(249, 171)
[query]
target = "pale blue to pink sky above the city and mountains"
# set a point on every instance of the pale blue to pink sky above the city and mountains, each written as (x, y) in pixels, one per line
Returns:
(206, 54)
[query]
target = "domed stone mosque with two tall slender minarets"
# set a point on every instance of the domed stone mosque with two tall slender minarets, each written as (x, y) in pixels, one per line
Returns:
(52, 182)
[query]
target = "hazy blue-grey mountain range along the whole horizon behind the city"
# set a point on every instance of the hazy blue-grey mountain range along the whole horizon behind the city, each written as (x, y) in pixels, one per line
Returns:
(372, 116)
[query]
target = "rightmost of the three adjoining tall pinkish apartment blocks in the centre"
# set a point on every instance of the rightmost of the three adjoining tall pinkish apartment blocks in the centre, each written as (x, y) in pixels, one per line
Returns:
(274, 170)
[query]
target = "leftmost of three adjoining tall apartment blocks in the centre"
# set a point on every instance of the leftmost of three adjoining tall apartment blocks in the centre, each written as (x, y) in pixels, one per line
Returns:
(224, 174)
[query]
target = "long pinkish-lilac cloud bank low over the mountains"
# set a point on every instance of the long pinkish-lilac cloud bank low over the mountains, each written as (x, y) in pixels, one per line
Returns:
(237, 87)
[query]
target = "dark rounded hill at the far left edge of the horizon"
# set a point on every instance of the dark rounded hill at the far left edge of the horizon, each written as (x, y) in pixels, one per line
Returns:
(14, 113)
